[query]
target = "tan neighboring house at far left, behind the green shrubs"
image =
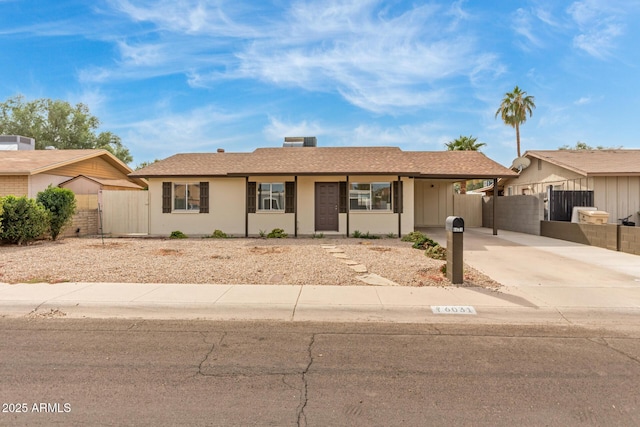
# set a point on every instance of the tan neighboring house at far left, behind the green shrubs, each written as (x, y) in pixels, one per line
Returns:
(27, 172)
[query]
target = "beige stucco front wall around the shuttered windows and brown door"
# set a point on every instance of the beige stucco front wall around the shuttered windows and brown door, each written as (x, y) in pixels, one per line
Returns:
(227, 209)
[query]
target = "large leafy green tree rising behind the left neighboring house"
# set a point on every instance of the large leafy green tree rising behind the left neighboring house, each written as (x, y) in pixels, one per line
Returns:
(58, 124)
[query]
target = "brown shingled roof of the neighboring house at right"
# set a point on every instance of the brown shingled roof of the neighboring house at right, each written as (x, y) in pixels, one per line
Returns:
(593, 162)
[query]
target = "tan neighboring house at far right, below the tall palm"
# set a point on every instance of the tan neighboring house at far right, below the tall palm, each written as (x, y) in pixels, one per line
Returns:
(612, 175)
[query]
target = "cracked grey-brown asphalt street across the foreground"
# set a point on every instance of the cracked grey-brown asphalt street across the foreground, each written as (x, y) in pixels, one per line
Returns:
(152, 372)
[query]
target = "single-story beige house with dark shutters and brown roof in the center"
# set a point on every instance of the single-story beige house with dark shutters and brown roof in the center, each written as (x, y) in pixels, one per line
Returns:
(309, 190)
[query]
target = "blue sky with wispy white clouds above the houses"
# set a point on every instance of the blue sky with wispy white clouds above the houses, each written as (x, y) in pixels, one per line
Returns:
(172, 76)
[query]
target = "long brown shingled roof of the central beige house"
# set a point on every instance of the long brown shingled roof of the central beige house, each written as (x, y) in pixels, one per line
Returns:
(329, 161)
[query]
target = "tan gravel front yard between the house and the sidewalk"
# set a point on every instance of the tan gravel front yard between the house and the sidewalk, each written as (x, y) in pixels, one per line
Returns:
(223, 261)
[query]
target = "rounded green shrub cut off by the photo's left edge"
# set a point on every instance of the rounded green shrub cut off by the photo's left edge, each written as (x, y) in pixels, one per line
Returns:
(23, 220)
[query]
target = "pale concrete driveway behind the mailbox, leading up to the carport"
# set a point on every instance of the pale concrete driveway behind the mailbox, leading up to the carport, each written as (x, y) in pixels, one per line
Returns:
(545, 271)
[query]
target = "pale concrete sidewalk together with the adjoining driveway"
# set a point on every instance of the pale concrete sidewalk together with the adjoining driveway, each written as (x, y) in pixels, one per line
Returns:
(545, 281)
